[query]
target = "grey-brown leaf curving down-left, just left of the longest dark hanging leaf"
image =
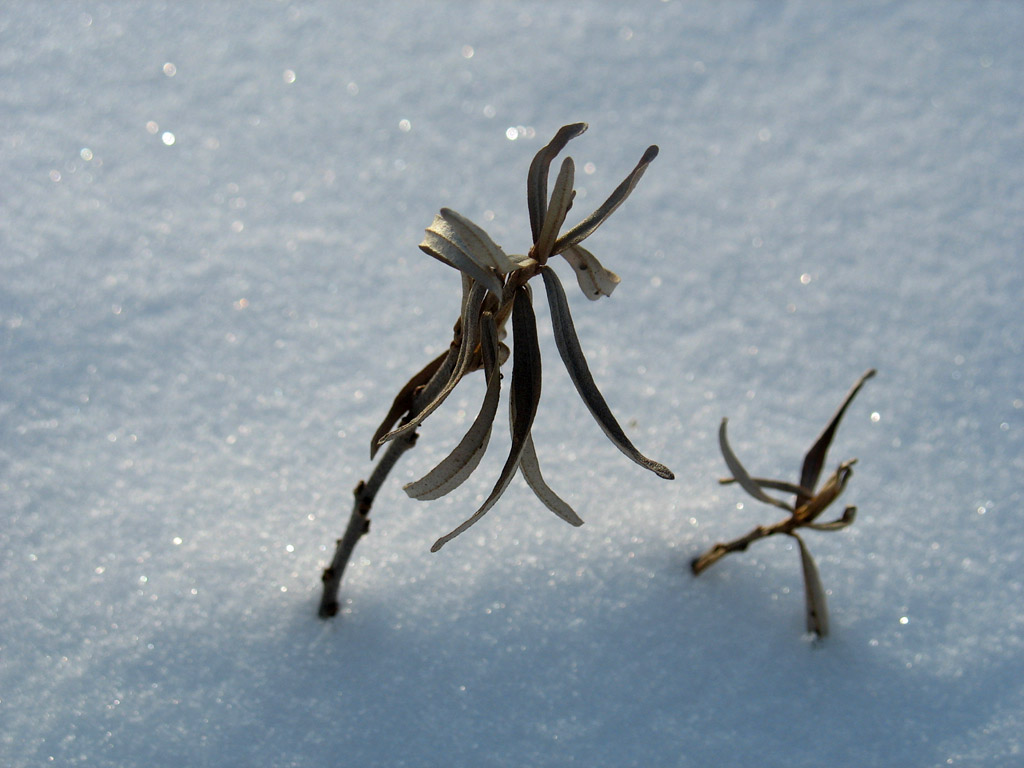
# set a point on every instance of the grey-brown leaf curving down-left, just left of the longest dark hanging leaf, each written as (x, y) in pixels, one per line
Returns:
(459, 465)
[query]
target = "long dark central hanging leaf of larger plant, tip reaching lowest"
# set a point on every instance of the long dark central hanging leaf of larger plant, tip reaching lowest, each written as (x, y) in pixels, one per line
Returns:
(525, 396)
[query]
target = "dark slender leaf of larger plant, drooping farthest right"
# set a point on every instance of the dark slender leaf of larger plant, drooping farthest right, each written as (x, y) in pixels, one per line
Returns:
(572, 354)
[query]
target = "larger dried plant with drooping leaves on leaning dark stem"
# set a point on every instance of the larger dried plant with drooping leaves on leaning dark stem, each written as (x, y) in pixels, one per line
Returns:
(494, 290)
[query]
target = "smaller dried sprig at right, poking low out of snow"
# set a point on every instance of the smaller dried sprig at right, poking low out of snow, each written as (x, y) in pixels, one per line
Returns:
(804, 511)
